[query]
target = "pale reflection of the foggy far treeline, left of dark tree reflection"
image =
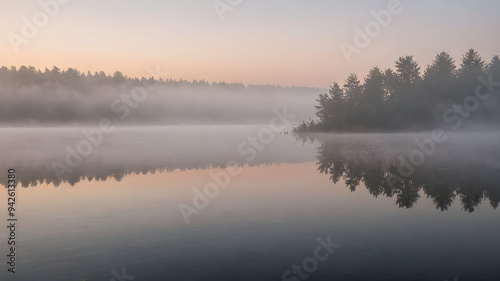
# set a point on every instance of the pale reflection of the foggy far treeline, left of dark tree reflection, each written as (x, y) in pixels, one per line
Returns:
(136, 150)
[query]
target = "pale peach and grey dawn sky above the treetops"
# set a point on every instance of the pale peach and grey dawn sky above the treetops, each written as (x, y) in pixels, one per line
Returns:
(292, 42)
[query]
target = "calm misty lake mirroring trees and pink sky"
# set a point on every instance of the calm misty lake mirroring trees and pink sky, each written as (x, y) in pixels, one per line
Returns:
(248, 203)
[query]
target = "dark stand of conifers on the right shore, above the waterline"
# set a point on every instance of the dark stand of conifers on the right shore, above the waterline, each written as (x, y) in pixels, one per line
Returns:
(405, 100)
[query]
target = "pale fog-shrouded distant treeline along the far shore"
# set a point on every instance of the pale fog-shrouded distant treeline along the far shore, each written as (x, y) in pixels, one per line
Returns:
(32, 97)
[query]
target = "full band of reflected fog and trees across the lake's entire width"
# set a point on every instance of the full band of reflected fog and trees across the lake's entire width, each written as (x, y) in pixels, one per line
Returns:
(465, 168)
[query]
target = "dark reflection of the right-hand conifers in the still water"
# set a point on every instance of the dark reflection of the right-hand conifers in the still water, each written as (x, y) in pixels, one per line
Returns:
(465, 168)
